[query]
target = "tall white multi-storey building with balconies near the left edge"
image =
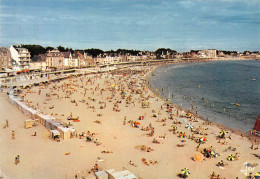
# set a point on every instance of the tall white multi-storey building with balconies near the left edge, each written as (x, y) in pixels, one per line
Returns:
(21, 57)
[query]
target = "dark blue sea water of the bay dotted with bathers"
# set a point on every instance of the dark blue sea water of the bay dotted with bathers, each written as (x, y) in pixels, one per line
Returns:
(226, 92)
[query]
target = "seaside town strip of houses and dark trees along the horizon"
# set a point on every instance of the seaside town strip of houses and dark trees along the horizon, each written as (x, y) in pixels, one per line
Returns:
(35, 57)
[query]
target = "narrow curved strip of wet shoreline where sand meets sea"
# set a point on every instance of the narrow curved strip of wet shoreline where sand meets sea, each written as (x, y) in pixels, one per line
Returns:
(219, 125)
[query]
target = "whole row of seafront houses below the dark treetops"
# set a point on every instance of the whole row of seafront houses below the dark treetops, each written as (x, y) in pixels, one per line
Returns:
(17, 57)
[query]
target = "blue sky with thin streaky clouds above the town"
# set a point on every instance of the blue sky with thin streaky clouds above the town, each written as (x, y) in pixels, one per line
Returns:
(181, 25)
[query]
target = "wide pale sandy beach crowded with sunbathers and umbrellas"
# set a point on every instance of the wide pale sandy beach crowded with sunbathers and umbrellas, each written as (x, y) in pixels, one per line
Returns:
(120, 114)
